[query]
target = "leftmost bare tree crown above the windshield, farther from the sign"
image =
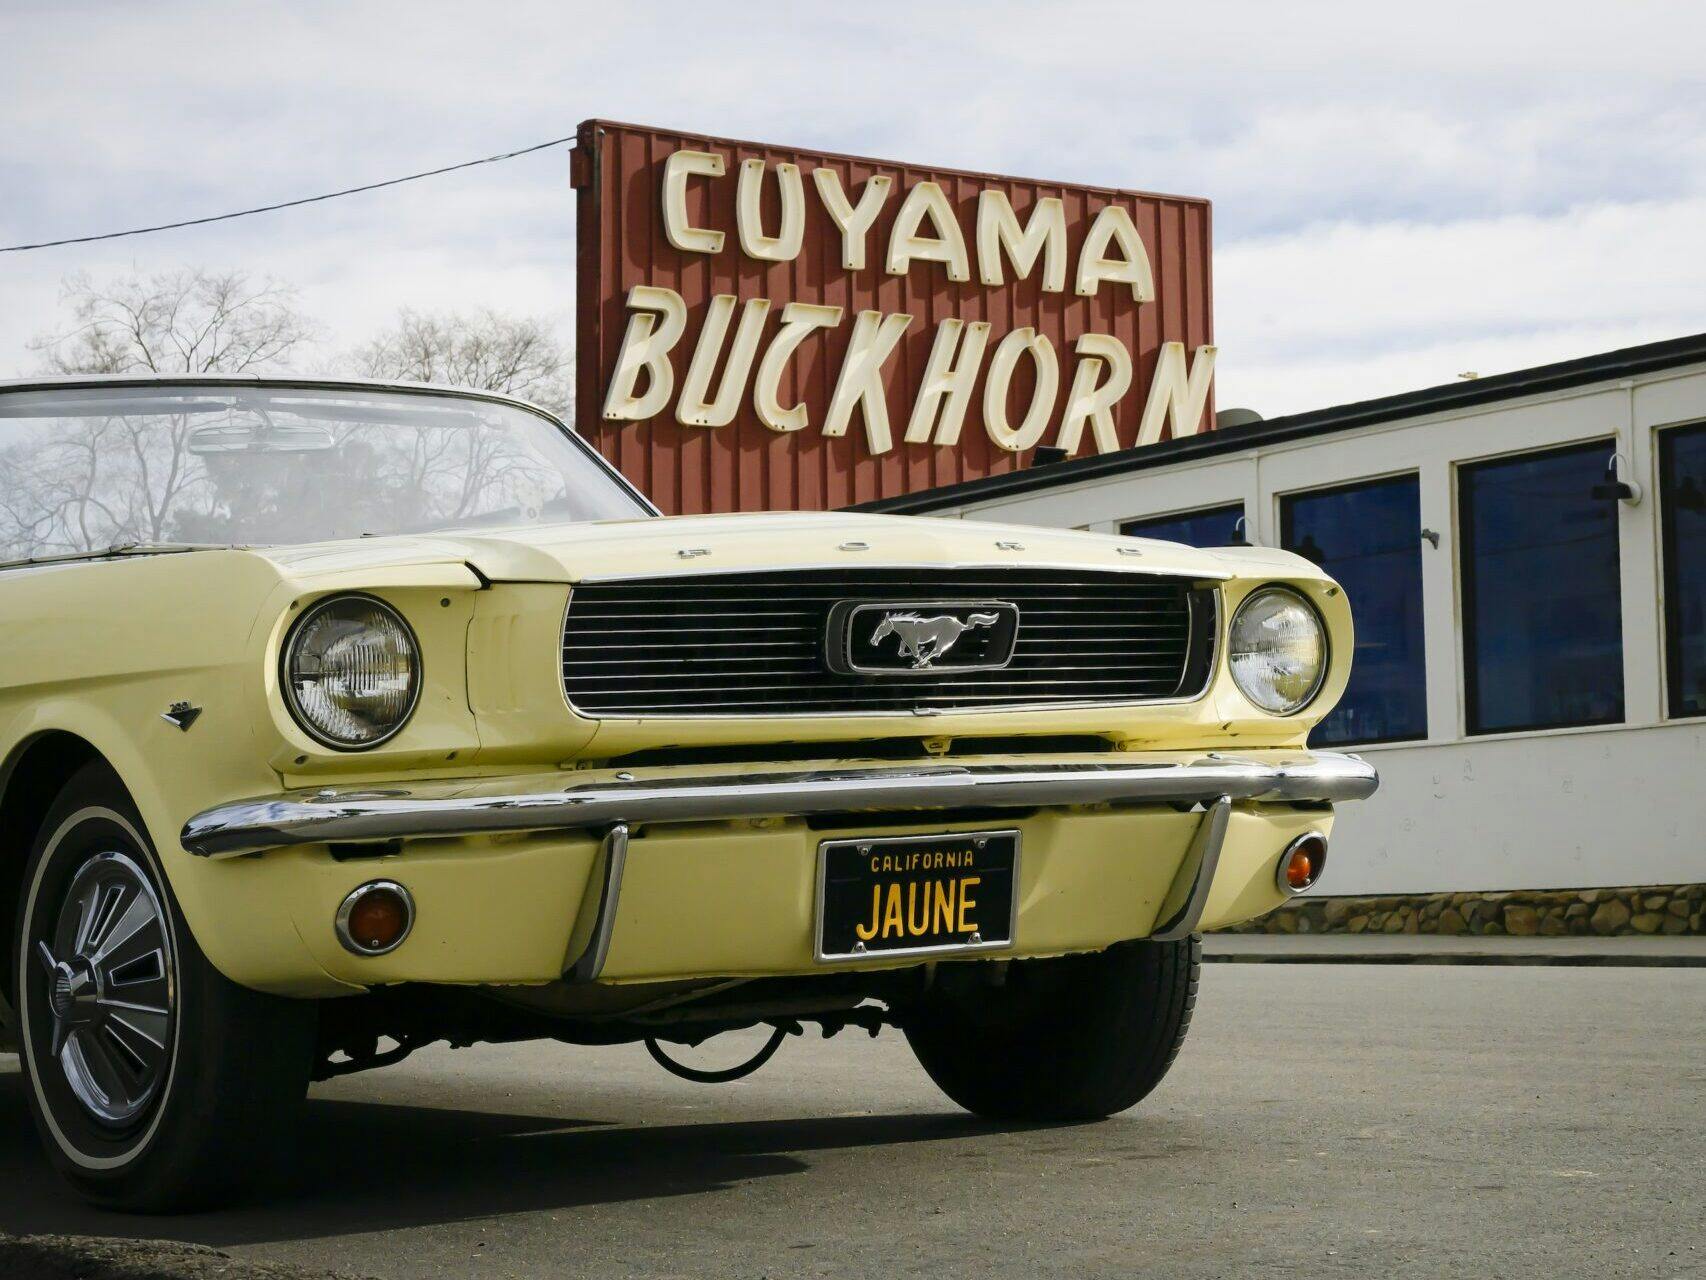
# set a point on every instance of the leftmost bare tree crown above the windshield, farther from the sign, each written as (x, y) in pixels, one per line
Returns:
(185, 322)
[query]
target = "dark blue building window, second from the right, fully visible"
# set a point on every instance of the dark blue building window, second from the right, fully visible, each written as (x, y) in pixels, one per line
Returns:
(1543, 602)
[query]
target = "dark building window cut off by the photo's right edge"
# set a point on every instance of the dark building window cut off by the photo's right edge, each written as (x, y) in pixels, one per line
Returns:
(1683, 513)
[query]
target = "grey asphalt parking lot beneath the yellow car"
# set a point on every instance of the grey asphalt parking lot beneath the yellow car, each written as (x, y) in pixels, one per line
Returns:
(1321, 1120)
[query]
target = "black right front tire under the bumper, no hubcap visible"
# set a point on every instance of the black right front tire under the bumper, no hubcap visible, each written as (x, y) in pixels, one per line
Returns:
(1071, 1039)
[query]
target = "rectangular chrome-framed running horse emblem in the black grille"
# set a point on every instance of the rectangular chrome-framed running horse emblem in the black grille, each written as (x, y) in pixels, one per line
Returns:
(917, 639)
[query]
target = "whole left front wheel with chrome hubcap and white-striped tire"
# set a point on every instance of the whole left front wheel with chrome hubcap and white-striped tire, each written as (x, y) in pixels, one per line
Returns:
(156, 1083)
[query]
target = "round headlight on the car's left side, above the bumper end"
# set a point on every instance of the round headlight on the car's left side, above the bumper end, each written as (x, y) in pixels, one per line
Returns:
(352, 672)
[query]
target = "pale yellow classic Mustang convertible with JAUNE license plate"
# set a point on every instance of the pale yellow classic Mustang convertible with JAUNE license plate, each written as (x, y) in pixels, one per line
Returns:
(339, 719)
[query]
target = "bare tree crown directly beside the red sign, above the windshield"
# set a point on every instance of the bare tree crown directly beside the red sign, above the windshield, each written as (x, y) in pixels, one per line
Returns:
(514, 354)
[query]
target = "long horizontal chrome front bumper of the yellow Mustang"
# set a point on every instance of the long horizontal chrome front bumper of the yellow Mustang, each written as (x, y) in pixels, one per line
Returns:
(543, 803)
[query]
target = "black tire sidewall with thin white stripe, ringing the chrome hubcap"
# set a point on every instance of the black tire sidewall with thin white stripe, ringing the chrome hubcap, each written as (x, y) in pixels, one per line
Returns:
(81, 827)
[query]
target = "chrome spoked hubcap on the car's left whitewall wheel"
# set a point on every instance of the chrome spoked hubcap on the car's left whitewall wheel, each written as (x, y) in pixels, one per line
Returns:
(110, 989)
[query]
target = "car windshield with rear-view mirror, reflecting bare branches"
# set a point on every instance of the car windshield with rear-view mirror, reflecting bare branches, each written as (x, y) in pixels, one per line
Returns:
(90, 468)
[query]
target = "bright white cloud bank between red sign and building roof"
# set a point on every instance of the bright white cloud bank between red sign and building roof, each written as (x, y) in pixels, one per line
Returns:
(1340, 313)
